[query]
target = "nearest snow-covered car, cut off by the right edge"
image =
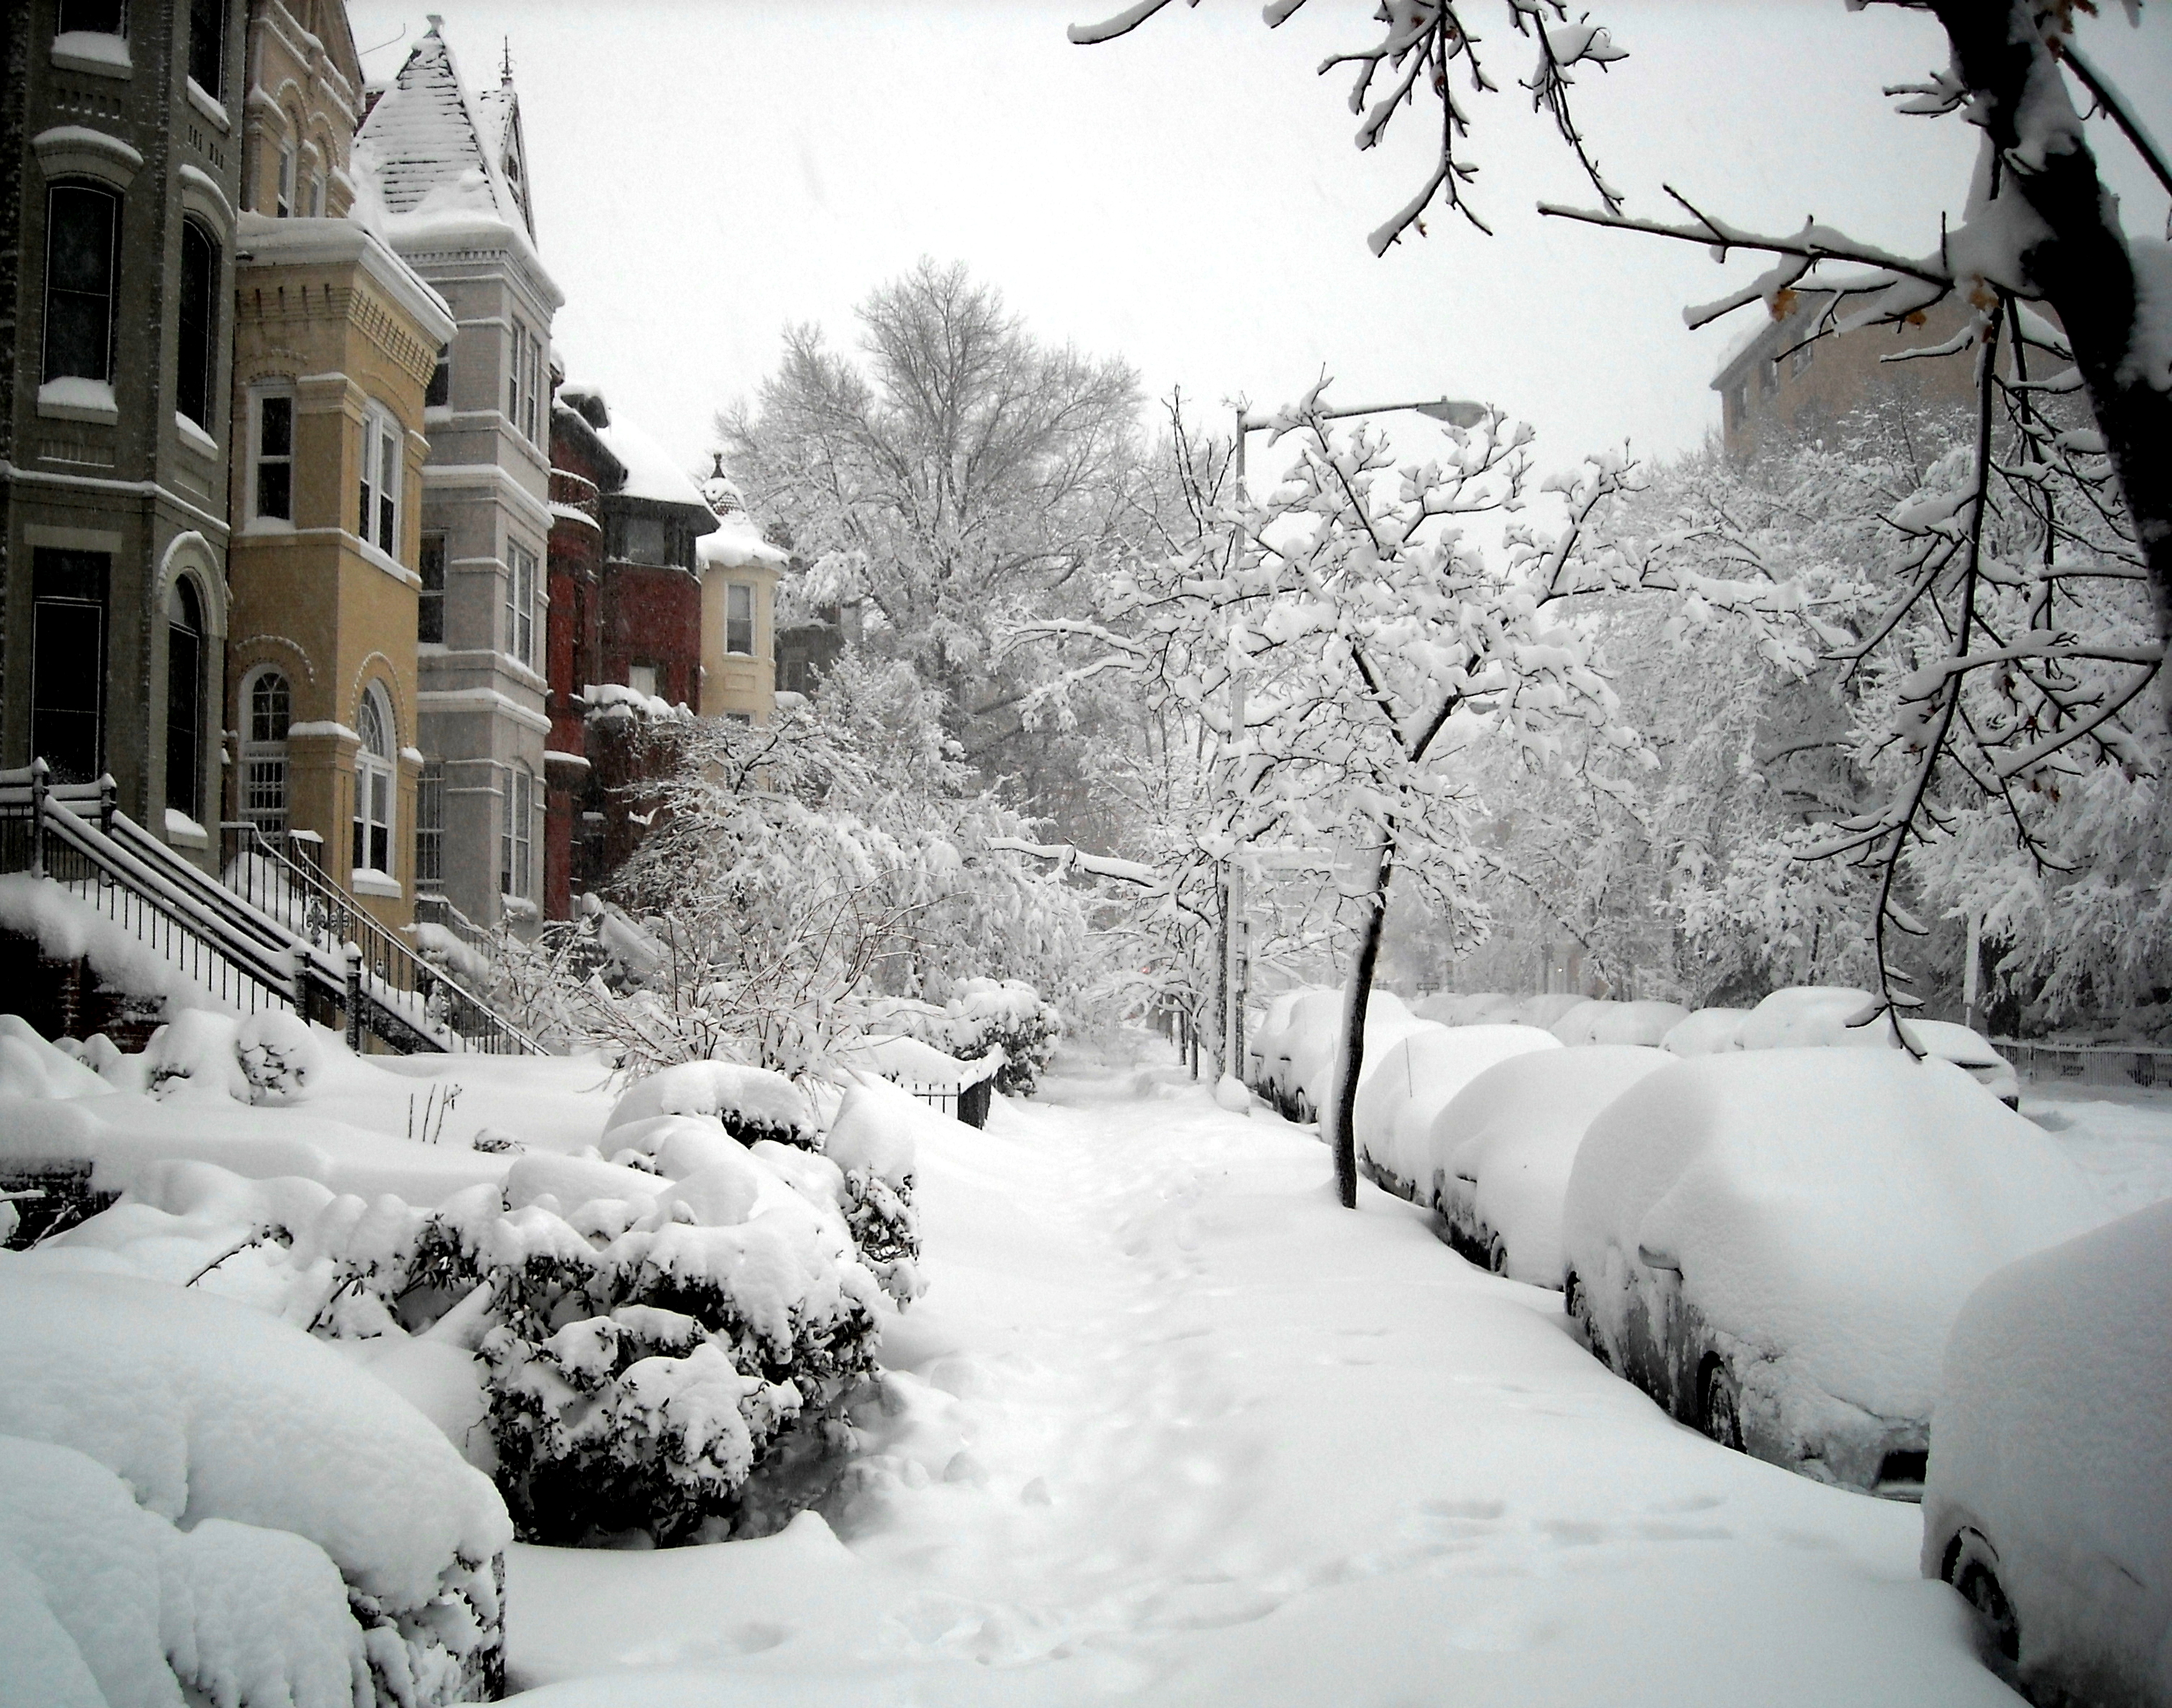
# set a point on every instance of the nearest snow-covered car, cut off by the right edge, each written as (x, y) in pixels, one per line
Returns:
(2049, 1503)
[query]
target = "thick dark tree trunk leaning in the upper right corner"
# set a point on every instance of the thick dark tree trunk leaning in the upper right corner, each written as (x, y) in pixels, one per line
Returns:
(2084, 273)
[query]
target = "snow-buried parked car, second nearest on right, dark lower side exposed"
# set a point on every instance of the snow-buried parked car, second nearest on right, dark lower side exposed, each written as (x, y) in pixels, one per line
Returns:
(1776, 1244)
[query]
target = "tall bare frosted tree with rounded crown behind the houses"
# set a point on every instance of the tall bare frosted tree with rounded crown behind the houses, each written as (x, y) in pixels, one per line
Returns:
(955, 479)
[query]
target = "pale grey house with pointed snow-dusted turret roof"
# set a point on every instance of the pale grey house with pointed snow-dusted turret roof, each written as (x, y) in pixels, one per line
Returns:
(446, 181)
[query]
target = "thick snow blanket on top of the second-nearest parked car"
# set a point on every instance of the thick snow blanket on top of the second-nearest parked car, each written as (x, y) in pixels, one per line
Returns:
(1828, 1207)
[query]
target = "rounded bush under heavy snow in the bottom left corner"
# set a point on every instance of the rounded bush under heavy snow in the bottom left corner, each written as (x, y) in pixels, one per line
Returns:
(299, 1527)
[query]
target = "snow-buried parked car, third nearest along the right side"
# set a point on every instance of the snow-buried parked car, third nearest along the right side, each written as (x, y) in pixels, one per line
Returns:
(1515, 1135)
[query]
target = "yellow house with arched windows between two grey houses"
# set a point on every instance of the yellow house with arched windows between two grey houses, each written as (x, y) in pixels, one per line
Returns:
(336, 344)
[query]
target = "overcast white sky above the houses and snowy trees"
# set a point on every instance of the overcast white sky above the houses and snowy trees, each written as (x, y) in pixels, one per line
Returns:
(711, 171)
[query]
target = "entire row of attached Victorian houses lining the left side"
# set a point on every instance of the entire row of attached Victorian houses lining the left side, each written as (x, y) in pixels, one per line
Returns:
(281, 540)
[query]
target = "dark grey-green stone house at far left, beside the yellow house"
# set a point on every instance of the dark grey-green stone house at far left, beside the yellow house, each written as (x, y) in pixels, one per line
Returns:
(123, 151)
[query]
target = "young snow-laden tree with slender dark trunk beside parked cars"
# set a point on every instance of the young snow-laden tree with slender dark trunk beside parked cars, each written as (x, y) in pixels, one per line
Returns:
(1348, 642)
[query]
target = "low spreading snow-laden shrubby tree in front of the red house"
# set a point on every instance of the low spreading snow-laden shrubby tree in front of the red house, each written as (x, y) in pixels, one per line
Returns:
(796, 868)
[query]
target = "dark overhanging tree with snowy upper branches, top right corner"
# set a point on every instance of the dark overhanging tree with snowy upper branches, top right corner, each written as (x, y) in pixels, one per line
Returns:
(2041, 227)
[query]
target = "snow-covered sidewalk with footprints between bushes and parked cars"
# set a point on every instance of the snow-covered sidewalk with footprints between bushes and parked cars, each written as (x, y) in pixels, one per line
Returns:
(1176, 1429)
